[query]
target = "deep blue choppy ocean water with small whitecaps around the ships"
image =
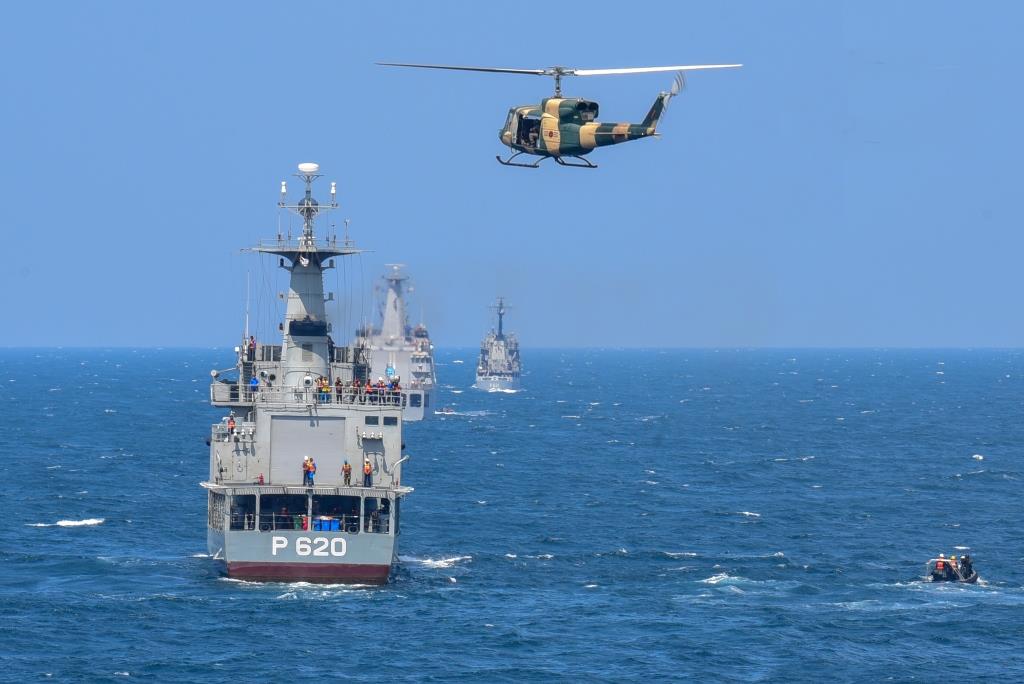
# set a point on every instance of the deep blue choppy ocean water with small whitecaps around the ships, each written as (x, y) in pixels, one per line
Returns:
(732, 516)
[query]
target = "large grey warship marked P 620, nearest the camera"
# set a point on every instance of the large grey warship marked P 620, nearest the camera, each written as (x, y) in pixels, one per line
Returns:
(272, 517)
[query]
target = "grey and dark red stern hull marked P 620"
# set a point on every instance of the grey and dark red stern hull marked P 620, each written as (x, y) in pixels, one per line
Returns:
(304, 557)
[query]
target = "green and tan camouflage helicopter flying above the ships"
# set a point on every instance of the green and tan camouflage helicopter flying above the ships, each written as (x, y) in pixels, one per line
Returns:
(565, 129)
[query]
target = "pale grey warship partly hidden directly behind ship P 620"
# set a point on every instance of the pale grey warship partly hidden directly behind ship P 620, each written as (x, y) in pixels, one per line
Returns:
(397, 351)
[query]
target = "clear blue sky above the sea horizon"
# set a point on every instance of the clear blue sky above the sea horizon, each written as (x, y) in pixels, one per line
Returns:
(856, 184)
